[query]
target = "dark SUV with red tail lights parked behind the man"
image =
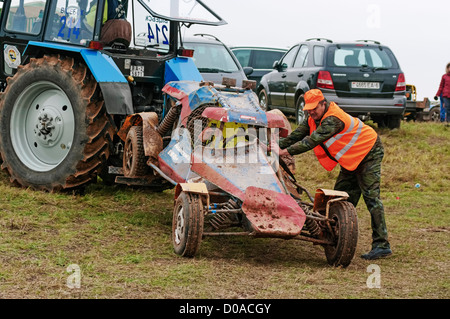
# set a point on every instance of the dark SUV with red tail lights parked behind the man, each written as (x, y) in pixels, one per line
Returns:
(362, 77)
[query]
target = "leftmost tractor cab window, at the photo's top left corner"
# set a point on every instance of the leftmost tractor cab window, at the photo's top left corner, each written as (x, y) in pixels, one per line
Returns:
(25, 16)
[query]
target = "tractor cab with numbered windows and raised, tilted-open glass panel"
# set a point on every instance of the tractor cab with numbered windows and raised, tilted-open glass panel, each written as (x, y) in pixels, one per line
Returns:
(137, 27)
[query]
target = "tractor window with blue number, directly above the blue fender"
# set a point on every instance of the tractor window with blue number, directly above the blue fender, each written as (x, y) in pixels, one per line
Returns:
(72, 21)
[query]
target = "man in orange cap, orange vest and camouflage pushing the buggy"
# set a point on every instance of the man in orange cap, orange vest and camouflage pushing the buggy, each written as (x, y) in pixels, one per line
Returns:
(338, 138)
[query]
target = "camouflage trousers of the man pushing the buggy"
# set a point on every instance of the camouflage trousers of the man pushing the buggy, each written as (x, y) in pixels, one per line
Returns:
(365, 181)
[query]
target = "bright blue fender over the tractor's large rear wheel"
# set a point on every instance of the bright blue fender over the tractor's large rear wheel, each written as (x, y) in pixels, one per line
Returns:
(101, 65)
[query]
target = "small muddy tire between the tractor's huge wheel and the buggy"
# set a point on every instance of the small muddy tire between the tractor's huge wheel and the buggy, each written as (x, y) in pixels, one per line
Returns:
(134, 159)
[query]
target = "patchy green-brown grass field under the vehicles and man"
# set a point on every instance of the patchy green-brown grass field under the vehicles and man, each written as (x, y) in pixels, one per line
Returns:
(120, 239)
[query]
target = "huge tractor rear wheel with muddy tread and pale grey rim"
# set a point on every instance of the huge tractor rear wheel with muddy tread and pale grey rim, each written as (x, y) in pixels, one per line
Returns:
(54, 130)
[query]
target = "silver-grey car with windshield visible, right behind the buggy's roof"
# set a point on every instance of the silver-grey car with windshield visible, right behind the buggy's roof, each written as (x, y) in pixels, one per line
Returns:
(215, 60)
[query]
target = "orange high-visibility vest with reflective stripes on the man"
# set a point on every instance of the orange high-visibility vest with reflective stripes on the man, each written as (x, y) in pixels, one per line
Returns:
(348, 147)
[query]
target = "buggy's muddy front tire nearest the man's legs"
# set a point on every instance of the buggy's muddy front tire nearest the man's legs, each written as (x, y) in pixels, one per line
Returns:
(346, 234)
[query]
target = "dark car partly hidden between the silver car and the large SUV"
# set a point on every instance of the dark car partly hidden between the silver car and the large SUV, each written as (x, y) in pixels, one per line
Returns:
(261, 59)
